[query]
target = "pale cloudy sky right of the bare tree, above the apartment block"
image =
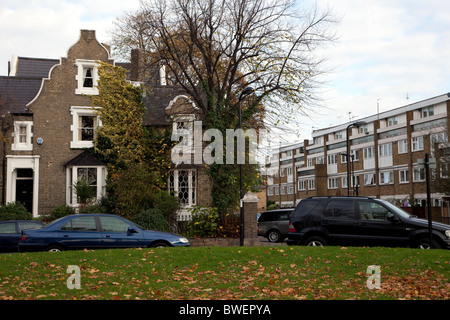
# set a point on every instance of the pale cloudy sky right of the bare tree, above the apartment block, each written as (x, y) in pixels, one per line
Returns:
(385, 50)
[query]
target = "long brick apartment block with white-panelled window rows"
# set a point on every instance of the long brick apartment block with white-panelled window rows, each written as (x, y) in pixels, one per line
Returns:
(384, 162)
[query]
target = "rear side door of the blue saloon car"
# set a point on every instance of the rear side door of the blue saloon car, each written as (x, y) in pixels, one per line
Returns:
(80, 233)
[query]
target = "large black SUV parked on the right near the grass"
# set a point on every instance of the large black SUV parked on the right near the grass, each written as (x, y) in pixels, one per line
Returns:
(361, 221)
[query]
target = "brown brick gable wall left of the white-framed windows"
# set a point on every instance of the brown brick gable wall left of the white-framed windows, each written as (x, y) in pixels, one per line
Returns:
(53, 120)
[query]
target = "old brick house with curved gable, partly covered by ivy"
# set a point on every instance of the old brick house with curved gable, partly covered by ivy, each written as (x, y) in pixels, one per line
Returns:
(48, 125)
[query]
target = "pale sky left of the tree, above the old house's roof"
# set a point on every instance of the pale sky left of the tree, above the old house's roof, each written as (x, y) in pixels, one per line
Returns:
(47, 28)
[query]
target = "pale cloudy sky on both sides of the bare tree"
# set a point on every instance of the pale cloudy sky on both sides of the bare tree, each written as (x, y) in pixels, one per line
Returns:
(388, 53)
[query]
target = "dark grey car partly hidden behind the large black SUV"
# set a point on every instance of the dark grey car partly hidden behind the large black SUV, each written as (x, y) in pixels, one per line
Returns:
(274, 224)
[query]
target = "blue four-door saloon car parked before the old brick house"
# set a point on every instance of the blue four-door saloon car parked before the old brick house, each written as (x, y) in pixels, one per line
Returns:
(95, 231)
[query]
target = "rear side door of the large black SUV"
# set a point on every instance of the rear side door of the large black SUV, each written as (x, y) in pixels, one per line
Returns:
(340, 220)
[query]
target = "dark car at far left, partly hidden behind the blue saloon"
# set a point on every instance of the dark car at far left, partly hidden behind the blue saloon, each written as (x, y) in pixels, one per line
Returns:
(11, 232)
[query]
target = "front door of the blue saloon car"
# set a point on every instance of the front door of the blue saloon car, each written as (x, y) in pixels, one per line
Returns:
(116, 233)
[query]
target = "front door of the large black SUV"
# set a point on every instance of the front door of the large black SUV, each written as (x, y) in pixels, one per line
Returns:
(376, 229)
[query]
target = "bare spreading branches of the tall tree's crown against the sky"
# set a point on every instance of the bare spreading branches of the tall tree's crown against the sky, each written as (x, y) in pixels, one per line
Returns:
(215, 48)
